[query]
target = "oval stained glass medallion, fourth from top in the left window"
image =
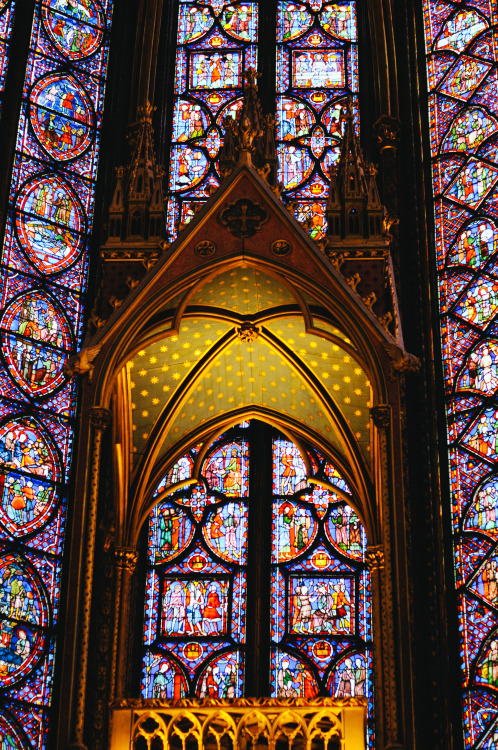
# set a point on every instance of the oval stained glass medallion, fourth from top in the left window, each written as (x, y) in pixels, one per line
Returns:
(36, 343)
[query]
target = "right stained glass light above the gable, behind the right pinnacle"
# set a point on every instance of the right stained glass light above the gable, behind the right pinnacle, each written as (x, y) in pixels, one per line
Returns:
(317, 72)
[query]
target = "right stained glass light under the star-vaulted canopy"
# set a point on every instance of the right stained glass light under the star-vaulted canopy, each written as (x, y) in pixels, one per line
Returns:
(321, 606)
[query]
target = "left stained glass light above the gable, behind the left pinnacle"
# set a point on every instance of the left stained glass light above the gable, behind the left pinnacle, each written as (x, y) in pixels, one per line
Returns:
(216, 44)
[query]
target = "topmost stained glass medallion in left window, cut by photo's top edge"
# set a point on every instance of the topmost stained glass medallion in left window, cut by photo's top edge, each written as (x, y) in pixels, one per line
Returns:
(75, 28)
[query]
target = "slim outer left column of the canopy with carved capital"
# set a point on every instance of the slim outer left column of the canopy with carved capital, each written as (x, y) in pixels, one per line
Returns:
(99, 419)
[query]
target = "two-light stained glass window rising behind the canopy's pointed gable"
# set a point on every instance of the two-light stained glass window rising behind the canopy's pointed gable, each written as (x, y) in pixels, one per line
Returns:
(316, 75)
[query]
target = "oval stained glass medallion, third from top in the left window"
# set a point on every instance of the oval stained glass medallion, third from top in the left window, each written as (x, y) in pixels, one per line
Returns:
(49, 223)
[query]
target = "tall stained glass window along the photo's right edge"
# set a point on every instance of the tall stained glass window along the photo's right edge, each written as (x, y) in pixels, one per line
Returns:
(463, 95)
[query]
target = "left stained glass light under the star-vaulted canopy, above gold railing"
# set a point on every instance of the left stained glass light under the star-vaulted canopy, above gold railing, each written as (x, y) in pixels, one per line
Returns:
(196, 587)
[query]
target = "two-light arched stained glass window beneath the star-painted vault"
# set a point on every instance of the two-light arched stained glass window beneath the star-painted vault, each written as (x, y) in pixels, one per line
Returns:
(195, 620)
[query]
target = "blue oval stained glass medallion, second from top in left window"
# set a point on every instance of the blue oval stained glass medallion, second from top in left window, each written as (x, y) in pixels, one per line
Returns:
(62, 116)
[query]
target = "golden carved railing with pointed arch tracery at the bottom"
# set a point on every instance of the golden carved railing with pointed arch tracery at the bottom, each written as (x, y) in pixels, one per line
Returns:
(242, 724)
